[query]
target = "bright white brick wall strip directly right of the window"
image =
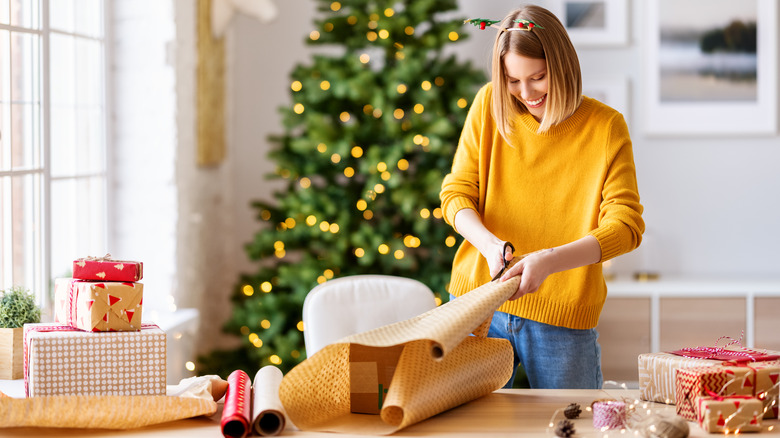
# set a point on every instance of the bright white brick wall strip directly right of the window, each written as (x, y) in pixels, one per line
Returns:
(143, 194)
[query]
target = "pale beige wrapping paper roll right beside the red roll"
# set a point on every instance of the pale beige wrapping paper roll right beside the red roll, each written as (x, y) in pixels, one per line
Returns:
(267, 410)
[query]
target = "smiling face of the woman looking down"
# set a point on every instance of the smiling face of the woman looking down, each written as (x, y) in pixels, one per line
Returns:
(527, 82)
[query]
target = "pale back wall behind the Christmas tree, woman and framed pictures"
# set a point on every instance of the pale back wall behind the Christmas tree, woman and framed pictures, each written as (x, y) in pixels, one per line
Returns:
(712, 204)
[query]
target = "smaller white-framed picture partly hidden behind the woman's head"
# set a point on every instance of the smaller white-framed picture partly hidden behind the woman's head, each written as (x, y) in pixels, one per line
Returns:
(594, 23)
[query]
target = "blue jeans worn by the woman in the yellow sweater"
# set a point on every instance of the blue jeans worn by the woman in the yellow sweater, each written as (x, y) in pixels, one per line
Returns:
(552, 357)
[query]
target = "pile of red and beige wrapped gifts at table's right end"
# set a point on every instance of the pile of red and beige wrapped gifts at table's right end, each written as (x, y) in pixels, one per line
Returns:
(726, 391)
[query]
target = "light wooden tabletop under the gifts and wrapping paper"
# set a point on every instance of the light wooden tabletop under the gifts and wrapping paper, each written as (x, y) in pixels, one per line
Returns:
(513, 412)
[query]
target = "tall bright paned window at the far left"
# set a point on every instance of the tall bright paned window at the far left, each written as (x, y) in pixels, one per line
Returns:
(52, 139)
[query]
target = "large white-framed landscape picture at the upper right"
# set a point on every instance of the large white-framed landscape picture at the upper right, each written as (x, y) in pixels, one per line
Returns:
(710, 67)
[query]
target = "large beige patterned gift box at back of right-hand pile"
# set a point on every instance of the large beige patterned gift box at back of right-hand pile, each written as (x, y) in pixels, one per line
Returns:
(657, 373)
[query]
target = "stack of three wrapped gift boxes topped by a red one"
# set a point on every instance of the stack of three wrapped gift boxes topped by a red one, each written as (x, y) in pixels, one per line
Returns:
(97, 344)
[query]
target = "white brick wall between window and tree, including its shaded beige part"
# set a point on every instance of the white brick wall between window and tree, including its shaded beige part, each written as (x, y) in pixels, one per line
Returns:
(167, 212)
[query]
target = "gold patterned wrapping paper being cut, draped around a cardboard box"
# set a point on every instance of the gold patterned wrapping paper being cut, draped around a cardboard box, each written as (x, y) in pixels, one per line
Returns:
(440, 367)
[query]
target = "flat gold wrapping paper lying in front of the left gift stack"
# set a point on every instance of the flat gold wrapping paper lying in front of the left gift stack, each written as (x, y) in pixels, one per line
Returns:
(99, 412)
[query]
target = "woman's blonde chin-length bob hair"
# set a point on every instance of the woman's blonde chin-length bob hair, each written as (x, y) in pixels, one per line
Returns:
(552, 44)
